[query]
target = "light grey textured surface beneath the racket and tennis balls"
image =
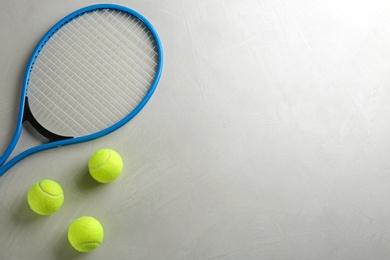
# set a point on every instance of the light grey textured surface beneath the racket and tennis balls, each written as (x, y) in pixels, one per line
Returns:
(267, 138)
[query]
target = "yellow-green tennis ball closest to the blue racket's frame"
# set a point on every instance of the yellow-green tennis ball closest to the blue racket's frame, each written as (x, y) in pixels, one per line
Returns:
(105, 165)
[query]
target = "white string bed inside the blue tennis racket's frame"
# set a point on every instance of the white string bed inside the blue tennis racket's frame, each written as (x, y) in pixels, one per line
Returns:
(92, 73)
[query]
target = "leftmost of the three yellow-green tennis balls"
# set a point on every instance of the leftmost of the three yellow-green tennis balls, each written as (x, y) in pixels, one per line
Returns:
(45, 197)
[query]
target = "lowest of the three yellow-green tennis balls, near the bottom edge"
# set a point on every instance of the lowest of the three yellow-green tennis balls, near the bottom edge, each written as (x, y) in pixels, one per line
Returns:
(85, 234)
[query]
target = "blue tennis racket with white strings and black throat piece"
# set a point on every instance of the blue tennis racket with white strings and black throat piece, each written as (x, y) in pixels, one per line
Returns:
(90, 74)
